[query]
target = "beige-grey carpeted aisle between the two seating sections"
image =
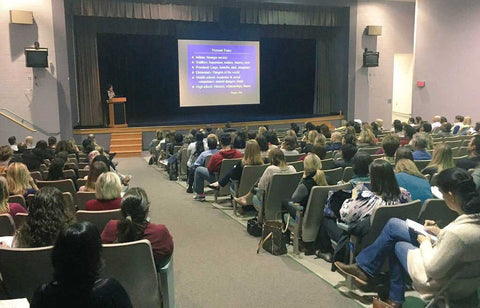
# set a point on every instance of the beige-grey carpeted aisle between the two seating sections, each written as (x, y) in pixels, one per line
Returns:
(216, 264)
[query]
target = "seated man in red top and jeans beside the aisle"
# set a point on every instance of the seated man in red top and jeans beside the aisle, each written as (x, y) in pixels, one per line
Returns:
(208, 173)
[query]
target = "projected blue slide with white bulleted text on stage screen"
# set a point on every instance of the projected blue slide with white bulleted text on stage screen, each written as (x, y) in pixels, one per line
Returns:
(213, 73)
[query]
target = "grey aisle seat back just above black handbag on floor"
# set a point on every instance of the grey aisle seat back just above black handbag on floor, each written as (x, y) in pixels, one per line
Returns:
(281, 187)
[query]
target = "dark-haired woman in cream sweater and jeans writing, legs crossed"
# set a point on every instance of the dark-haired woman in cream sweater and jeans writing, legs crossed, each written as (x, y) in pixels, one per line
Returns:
(429, 266)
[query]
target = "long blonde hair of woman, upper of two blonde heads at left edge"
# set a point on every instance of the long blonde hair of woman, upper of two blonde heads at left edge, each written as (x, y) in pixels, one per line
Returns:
(19, 180)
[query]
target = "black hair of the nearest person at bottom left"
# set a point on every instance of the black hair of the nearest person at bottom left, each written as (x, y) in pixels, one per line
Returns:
(76, 259)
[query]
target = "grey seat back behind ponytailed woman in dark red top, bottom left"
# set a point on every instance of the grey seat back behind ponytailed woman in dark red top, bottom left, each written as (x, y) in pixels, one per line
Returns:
(133, 266)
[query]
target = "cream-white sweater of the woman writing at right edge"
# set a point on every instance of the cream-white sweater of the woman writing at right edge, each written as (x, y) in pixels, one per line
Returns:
(458, 247)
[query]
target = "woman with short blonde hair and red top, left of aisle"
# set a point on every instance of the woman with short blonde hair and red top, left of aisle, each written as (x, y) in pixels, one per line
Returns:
(107, 193)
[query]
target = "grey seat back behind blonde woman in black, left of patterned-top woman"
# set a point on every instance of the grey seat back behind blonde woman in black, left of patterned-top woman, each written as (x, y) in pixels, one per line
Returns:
(313, 213)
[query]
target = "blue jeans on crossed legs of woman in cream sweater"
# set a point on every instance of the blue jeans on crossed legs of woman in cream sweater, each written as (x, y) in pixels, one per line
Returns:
(393, 243)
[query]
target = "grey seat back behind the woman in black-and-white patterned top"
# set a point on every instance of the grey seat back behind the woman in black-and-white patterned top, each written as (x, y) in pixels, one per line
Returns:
(383, 214)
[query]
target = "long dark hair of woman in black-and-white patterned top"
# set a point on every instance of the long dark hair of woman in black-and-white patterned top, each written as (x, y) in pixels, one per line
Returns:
(383, 181)
